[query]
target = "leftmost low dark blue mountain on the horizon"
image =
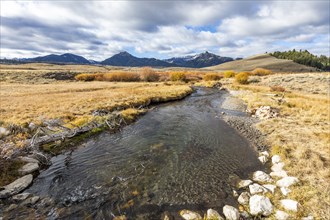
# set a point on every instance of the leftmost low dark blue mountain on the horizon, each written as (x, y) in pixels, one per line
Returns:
(64, 58)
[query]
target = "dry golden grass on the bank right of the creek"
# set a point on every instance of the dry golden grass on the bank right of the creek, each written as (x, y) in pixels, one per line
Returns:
(301, 135)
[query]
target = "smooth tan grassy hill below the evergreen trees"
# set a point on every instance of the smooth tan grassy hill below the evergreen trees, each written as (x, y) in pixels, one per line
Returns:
(263, 61)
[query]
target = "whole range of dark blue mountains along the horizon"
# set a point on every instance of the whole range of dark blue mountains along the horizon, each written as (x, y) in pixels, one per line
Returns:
(126, 59)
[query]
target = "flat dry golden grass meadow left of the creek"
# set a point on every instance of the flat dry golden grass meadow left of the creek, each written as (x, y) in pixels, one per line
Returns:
(22, 103)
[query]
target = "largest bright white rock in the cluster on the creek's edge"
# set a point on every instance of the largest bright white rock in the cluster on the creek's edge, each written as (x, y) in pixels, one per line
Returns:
(260, 205)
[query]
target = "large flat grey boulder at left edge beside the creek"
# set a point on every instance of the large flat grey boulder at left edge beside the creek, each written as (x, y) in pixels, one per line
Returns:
(16, 186)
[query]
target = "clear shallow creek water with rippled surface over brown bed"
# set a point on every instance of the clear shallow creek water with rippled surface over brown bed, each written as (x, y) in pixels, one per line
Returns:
(181, 155)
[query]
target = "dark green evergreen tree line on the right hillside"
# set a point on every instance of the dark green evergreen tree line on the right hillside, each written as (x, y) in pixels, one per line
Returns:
(304, 57)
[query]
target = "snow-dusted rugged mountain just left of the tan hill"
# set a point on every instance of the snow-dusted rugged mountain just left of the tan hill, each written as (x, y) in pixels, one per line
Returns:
(200, 60)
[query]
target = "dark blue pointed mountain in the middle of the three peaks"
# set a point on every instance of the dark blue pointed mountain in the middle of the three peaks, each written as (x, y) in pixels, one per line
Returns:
(126, 59)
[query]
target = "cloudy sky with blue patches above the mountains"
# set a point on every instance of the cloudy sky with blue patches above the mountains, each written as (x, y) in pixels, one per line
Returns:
(162, 29)
